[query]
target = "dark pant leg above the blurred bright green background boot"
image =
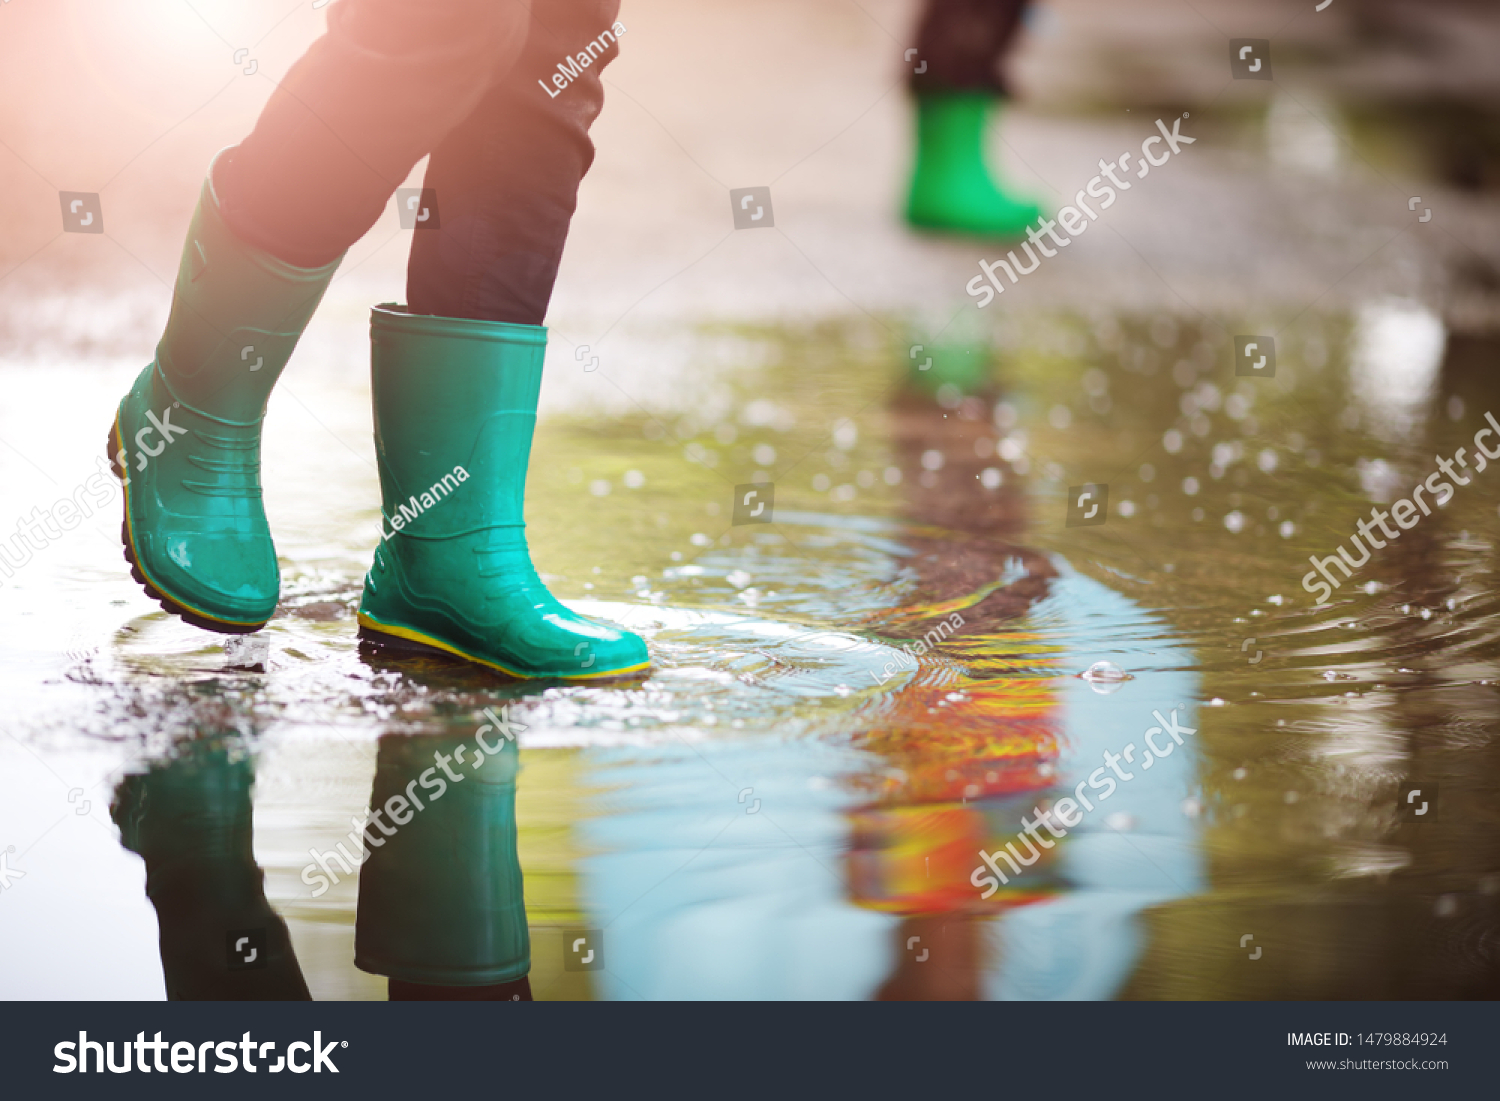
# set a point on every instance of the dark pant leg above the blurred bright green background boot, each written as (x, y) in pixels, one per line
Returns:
(964, 43)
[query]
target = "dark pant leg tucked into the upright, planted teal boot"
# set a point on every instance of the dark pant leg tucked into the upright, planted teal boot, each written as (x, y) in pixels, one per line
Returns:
(508, 176)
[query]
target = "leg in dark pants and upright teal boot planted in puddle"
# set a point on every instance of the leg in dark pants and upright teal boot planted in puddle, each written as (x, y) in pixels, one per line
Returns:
(457, 374)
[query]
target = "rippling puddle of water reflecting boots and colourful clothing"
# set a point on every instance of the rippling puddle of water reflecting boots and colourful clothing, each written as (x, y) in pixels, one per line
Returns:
(860, 715)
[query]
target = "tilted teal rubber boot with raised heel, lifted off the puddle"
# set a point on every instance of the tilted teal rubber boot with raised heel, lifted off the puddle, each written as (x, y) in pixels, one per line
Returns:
(187, 440)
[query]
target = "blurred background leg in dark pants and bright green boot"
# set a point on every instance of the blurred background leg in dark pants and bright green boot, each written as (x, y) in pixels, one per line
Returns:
(958, 97)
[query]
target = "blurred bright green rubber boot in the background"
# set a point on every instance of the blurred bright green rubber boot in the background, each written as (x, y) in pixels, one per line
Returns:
(952, 184)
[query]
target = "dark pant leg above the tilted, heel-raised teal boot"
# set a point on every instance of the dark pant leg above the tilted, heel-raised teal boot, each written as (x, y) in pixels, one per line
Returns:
(353, 116)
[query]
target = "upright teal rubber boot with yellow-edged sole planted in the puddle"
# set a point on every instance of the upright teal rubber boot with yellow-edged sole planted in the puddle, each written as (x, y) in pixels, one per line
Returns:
(455, 412)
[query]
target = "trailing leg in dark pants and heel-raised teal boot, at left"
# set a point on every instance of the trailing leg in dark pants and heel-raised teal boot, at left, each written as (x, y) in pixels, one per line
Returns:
(371, 98)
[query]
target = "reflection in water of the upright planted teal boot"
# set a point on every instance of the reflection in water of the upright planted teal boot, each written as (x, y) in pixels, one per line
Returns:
(442, 910)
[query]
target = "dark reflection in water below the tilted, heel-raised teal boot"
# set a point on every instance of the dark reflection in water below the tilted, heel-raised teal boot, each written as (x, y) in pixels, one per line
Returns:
(190, 820)
